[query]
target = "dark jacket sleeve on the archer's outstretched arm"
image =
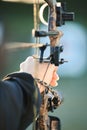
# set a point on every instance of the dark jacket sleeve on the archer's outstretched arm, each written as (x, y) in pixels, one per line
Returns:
(19, 101)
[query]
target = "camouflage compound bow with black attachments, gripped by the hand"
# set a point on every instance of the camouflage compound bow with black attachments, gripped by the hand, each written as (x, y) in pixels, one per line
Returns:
(57, 16)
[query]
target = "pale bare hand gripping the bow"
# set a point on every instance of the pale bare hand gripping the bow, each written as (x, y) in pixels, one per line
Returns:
(40, 70)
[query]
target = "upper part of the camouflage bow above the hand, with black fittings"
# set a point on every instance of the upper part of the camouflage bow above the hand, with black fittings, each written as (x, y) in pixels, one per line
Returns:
(56, 17)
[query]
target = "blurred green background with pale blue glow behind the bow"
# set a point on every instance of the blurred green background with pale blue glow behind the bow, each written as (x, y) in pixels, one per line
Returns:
(18, 24)
